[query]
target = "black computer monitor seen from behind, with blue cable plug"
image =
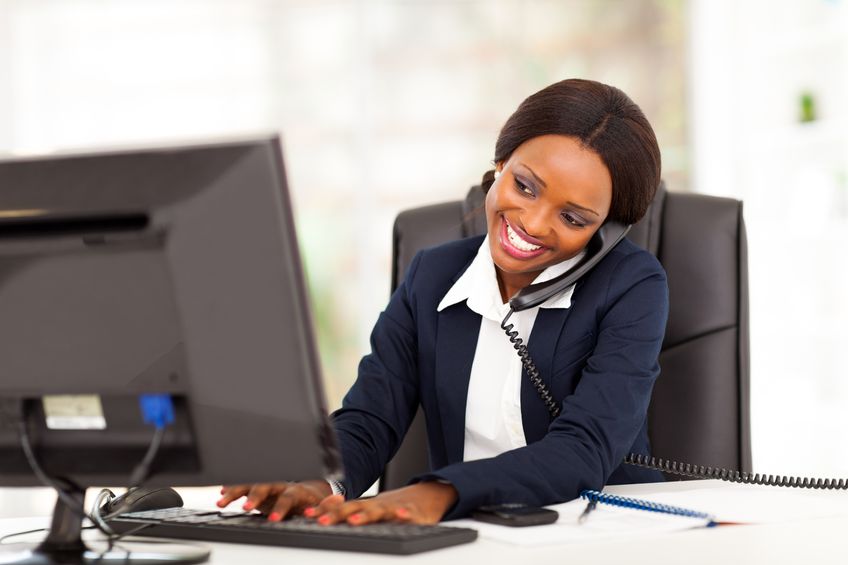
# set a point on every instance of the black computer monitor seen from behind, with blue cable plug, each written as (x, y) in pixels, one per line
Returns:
(157, 285)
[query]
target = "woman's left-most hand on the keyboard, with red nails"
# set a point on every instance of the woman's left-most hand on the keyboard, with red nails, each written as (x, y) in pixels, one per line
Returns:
(278, 500)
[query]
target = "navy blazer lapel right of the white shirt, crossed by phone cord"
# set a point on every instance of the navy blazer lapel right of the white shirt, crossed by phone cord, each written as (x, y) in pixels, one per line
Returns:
(542, 346)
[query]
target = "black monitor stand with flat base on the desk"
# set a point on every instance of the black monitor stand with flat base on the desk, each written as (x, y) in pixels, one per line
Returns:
(63, 545)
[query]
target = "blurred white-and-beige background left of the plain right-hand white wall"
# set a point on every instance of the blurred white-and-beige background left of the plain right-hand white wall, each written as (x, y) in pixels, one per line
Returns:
(383, 105)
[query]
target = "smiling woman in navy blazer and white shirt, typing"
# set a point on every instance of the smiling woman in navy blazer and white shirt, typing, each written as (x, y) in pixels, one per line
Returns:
(573, 156)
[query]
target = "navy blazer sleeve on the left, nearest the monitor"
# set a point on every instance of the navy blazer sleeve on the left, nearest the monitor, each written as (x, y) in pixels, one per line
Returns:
(379, 407)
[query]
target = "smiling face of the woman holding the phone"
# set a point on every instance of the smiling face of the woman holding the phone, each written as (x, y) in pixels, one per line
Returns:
(551, 196)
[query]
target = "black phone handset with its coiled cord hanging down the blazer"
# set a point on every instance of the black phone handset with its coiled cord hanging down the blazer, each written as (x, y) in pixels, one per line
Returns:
(604, 240)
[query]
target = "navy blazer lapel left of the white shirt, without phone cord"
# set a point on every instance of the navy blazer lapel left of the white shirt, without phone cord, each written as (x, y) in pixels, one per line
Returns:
(456, 342)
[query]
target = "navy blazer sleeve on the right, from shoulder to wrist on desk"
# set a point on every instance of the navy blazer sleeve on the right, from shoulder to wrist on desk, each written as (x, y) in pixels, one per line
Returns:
(599, 422)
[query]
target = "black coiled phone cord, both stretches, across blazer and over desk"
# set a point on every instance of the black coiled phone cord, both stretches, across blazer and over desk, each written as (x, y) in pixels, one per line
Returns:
(665, 465)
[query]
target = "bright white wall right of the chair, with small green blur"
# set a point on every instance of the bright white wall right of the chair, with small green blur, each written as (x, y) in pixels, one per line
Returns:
(750, 63)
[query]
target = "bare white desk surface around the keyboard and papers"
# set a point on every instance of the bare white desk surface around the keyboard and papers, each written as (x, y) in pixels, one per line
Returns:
(817, 541)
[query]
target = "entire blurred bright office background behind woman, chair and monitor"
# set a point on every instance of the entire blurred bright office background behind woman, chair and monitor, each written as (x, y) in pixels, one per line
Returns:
(389, 104)
